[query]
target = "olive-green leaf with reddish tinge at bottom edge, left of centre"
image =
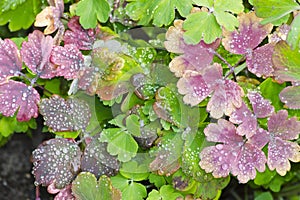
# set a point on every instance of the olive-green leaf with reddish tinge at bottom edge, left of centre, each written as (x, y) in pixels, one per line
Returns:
(86, 187)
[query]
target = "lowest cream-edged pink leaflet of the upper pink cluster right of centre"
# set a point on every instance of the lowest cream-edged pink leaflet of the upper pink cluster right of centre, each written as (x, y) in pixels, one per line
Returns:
(227, 97)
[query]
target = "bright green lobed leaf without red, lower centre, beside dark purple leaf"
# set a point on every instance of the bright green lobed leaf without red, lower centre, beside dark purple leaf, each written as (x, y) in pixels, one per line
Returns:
(120, 143)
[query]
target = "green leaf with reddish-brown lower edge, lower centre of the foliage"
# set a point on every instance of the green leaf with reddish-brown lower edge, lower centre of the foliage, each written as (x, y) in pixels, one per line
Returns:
(167, 155)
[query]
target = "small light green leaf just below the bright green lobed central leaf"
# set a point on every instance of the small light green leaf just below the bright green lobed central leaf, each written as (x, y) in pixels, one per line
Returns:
(133, 171)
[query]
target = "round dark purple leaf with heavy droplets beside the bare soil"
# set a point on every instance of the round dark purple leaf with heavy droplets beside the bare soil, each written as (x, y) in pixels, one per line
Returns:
(56, 161)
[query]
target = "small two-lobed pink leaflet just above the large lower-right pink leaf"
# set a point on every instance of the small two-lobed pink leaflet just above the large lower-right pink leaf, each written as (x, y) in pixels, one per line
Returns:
(246, 120)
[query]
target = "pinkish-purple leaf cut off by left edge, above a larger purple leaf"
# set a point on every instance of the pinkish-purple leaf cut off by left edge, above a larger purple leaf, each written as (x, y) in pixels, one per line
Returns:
(10, 62)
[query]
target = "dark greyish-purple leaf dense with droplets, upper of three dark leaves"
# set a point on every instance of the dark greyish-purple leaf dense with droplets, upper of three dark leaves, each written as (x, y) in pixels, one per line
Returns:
(62, 115)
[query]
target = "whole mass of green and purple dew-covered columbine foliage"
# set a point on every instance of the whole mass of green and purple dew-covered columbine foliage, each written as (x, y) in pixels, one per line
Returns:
(173, 115)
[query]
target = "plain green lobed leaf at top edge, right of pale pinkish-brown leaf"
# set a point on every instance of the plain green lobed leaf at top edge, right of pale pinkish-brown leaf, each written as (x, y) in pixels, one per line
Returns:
(92, 10)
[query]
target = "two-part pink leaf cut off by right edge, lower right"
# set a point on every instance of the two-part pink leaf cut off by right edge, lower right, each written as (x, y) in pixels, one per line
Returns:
(280, 149)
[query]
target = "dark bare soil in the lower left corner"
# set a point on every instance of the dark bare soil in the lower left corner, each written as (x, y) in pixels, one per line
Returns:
(16, 180)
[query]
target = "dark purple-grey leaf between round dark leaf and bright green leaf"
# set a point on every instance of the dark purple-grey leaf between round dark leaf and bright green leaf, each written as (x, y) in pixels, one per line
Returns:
(97, 160)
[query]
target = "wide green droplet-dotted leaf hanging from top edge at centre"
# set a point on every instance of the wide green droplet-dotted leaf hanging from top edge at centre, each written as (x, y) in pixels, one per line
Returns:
(161, 11)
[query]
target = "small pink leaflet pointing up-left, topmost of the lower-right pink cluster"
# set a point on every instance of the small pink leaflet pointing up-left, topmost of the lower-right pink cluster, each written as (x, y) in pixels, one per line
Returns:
(262, 108)
